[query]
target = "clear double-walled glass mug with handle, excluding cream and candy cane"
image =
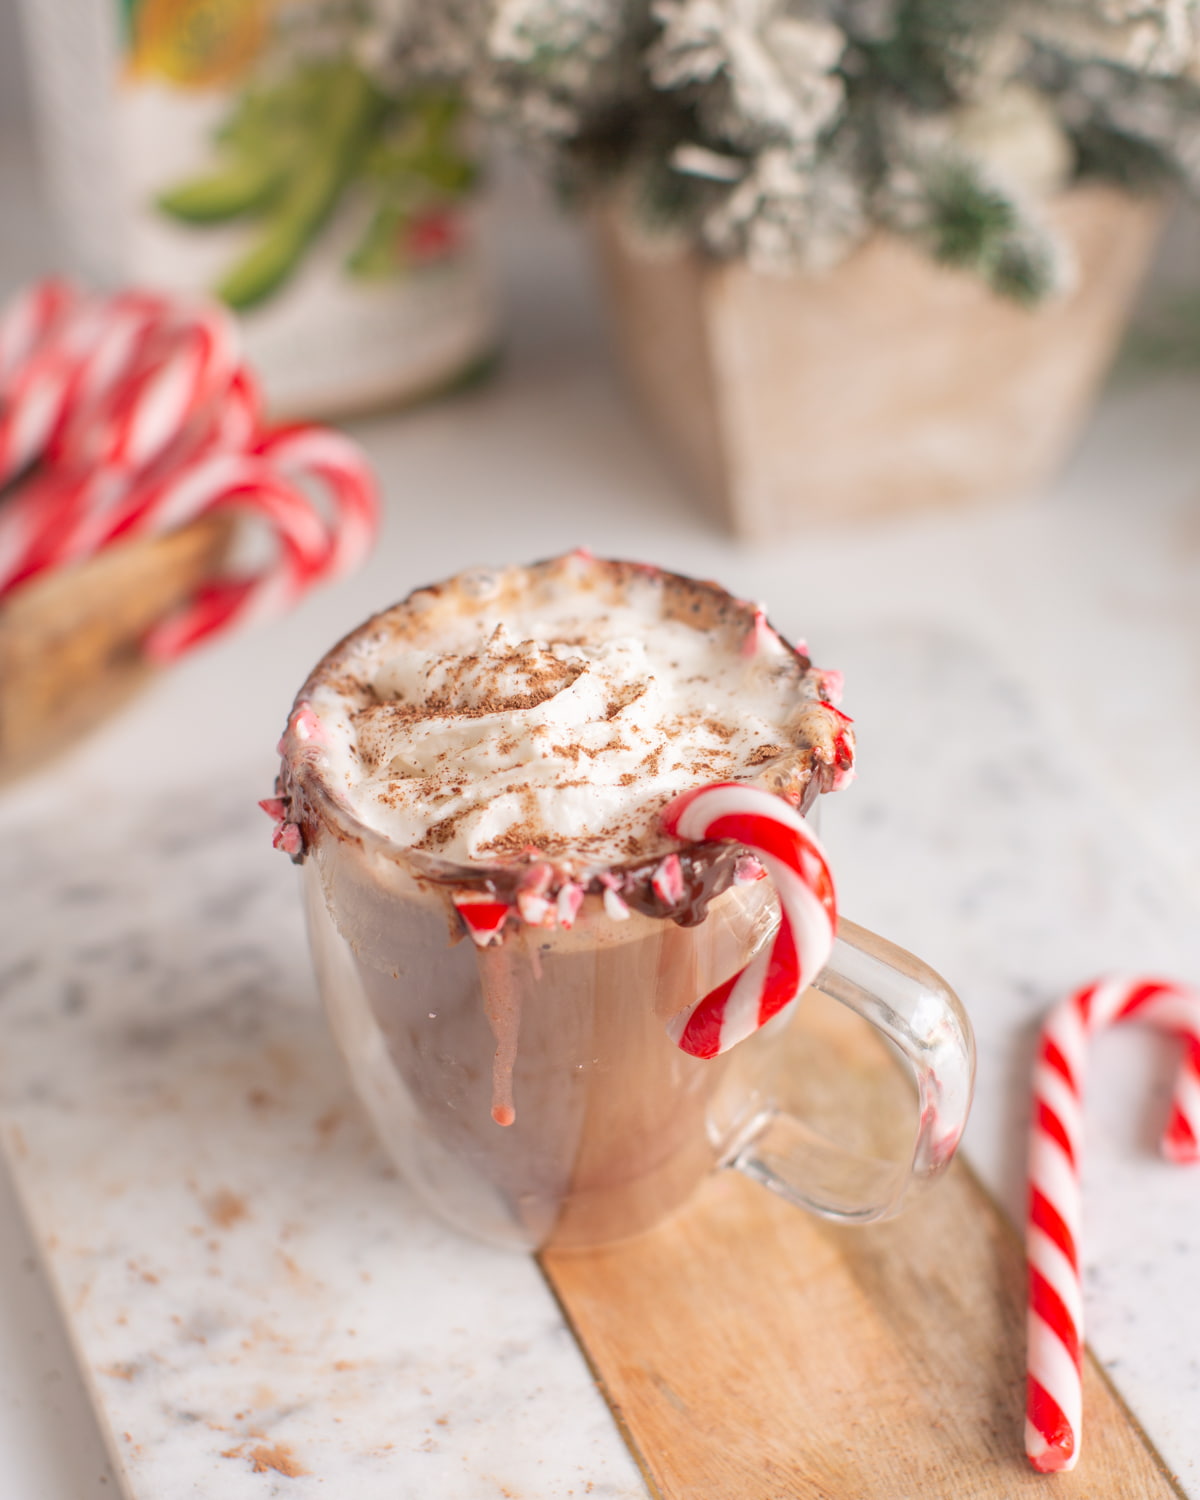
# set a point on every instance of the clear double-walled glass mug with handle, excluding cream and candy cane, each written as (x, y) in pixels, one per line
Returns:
(530, 1091)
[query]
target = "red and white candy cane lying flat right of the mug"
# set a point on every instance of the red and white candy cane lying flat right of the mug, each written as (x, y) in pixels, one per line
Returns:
(1055, 1339)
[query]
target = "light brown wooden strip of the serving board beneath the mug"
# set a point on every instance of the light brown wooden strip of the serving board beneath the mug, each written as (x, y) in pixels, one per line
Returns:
(752, 1352)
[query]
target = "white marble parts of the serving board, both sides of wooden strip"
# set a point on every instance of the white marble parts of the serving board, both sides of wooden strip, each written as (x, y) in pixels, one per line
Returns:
(259, 1304)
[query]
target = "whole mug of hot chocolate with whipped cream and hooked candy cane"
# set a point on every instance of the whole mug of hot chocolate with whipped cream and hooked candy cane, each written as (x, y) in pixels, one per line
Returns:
(563, 902)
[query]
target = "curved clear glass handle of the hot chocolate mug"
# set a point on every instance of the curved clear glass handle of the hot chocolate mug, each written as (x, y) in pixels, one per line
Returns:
(923, 1018)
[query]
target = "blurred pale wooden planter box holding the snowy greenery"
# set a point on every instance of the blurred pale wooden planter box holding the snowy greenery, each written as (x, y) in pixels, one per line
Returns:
(889, 385)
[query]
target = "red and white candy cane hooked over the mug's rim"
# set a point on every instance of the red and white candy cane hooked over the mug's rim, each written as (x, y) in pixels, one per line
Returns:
(800, 874)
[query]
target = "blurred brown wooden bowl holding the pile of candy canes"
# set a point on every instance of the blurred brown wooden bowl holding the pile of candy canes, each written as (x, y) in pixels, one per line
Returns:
(71, 641)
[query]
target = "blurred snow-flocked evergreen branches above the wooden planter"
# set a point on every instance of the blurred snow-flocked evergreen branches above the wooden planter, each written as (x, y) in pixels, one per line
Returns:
(785, 131)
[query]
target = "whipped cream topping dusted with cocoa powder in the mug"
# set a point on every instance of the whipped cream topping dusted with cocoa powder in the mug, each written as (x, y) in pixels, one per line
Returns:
(550, 713)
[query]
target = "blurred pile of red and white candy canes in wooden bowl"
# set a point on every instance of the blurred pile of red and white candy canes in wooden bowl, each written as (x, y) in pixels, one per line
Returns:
(131, 416)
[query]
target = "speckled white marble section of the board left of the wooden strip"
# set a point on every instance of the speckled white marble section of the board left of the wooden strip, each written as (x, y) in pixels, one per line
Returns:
(248, 1286)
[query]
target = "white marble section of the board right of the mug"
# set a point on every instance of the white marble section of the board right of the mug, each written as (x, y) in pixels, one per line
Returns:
(985, 848)
